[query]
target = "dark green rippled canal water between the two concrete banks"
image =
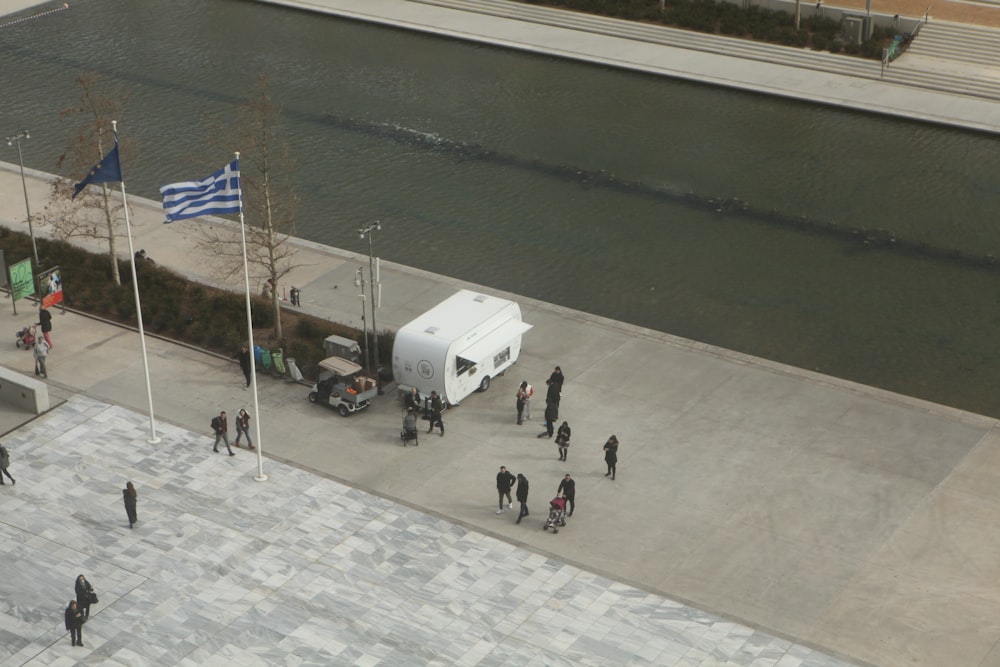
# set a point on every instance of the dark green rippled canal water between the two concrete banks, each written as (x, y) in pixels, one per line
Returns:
(856, 245)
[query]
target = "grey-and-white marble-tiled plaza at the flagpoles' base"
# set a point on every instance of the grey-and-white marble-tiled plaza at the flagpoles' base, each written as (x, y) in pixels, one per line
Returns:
(298, 570)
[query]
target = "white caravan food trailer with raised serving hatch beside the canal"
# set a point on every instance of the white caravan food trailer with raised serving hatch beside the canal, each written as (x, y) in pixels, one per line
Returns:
(458, 346)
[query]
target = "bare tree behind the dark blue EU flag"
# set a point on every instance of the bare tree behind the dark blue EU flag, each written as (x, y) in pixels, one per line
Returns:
(92, 214)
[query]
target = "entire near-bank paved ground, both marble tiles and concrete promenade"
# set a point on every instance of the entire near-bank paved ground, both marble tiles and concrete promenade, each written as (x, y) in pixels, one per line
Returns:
(762, 515)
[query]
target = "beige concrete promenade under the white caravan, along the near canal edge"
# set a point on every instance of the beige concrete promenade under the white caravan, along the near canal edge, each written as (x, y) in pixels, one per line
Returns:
(838, 516)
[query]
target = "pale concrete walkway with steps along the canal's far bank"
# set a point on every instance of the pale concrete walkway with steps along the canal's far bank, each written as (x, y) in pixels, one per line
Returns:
(823, 78)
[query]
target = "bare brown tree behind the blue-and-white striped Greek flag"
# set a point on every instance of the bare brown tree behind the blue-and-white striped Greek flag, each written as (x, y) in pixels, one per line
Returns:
(268, 200)
